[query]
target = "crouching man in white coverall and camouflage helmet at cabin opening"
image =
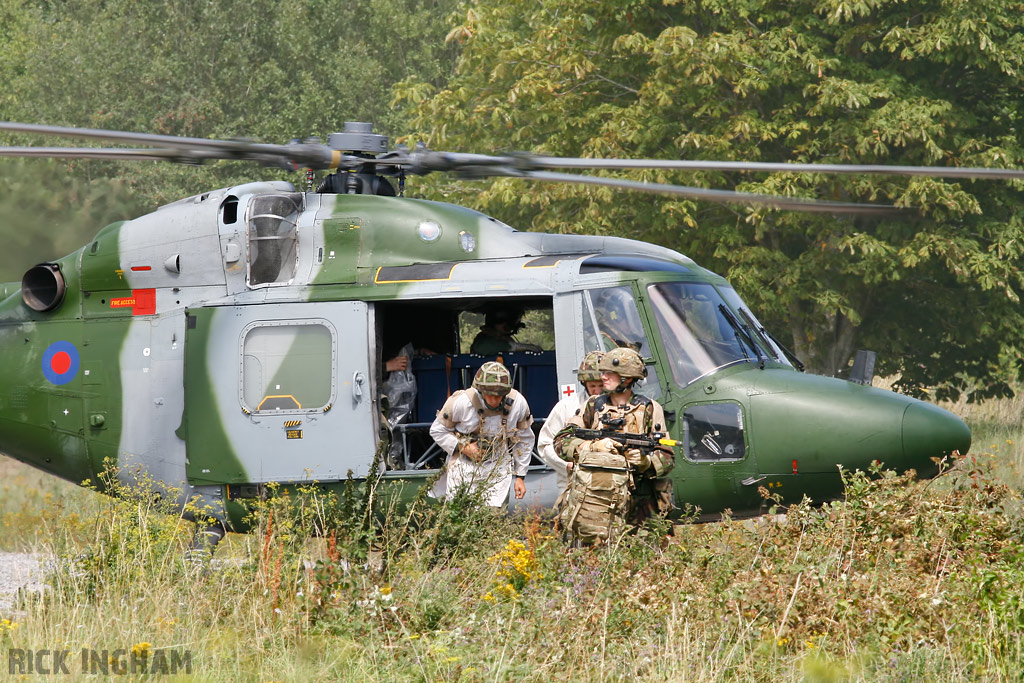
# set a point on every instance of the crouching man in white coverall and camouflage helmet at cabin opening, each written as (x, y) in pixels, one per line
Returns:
(487, 433)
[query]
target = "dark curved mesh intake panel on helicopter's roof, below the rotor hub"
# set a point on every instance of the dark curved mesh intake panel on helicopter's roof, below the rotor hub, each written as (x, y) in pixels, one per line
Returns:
(274, 239)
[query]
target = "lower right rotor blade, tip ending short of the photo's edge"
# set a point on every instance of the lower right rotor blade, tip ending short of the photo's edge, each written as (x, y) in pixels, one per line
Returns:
(719, 196)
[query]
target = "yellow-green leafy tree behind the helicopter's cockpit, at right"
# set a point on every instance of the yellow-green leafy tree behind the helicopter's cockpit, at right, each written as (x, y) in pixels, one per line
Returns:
(877, 82)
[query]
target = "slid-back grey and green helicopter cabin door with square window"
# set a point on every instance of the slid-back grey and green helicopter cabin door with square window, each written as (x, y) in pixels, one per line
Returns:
(279, 393)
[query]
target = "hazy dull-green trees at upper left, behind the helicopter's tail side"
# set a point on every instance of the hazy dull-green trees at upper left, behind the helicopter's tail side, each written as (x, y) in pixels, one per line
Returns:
(269, 71)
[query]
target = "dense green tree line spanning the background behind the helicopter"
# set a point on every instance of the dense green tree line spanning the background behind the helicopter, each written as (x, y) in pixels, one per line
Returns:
(934, 290)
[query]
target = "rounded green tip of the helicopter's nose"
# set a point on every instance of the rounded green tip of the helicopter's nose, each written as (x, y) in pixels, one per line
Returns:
(931, 433)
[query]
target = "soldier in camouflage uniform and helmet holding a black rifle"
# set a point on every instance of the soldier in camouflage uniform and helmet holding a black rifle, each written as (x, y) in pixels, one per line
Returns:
(650, 493)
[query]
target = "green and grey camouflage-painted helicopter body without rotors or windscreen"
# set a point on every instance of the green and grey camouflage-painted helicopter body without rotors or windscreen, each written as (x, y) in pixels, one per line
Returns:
(174, 352)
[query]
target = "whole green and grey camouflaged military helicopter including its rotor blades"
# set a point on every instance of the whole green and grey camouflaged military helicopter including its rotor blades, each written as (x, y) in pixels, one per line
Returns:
(238, 337)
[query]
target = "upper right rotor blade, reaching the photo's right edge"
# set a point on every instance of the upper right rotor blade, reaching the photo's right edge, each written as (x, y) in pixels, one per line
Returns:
(766, 167)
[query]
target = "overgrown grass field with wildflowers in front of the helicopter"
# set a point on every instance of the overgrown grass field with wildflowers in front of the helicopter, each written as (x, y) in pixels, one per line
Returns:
(903, 581)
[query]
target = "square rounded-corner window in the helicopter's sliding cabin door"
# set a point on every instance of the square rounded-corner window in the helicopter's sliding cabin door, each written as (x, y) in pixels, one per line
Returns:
(288, 367)
